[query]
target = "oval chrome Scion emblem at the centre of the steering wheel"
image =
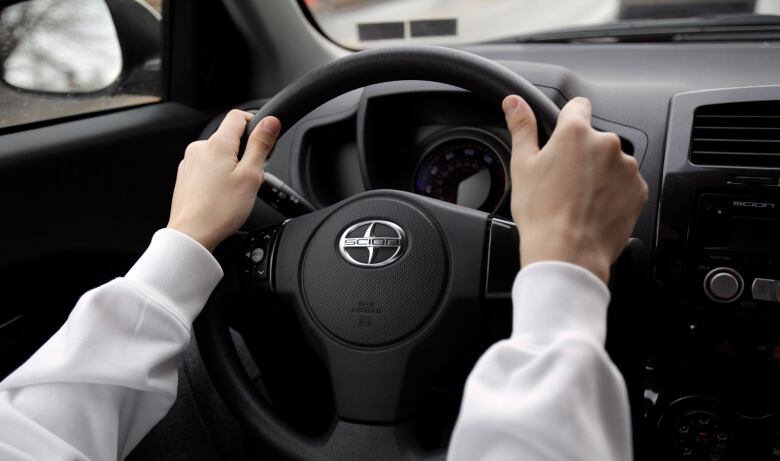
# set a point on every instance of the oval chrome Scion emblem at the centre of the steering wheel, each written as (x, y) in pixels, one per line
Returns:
(372, 243)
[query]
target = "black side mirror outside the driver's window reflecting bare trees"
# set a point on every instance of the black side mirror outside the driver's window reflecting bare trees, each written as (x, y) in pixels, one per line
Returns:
(80, 47)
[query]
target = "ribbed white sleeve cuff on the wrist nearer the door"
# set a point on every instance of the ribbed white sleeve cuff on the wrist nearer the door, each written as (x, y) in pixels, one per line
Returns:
(178, 273)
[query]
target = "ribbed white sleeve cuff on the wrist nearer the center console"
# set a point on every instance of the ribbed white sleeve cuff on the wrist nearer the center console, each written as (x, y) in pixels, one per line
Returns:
(555, 298)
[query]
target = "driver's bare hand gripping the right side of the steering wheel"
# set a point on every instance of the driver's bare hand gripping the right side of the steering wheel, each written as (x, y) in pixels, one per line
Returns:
(578, 198)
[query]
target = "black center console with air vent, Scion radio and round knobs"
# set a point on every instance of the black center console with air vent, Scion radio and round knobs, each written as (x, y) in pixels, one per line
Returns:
(712, 377)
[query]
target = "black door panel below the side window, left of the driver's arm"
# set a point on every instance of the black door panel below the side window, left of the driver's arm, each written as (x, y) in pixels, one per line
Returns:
(80, 201)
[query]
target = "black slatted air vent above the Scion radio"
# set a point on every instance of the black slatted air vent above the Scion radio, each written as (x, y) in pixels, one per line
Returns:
(737, 134)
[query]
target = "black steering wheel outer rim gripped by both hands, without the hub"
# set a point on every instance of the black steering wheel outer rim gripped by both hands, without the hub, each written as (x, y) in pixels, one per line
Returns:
(448, 66)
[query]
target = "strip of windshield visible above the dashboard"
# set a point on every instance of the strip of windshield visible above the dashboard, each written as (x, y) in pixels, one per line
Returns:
(360, 24)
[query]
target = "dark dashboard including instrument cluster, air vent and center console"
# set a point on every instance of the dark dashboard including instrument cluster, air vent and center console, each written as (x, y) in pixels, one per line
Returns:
(694, 323)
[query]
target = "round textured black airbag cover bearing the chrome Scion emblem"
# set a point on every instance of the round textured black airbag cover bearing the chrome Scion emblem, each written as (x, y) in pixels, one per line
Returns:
(375, 271)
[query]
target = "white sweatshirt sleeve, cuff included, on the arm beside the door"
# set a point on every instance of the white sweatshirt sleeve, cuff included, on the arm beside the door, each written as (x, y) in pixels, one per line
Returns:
(109, 374)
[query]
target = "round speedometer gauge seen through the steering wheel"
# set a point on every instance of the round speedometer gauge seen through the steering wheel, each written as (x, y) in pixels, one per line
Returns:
(464, 166)
